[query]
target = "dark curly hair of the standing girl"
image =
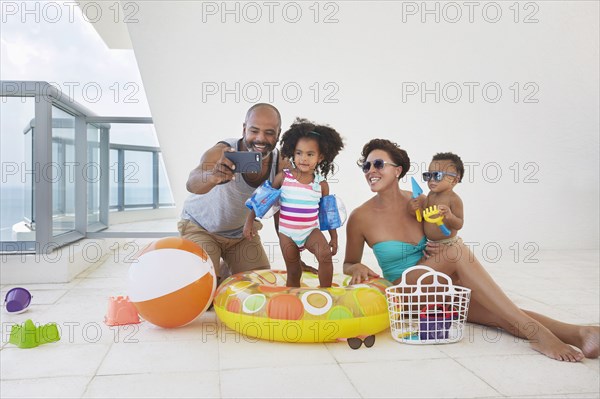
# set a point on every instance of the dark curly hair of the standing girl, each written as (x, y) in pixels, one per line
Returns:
(330, 142)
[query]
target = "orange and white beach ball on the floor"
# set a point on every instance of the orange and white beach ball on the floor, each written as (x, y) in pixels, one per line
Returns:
(172, 282)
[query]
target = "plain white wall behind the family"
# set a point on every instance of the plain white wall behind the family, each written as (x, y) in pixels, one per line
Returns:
(369, 56)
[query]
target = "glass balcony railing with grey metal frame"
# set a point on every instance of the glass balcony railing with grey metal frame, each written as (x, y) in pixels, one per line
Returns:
(68, 169)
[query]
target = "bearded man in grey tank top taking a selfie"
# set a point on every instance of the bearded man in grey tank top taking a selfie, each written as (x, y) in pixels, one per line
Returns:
(214, 214)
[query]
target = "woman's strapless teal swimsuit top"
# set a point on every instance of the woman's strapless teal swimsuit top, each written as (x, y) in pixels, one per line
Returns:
(394, 257)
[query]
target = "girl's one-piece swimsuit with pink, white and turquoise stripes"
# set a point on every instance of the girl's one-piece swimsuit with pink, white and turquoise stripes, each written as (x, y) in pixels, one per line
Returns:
(299, 213)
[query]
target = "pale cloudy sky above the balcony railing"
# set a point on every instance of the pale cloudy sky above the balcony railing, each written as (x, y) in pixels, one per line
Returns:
(68, 53)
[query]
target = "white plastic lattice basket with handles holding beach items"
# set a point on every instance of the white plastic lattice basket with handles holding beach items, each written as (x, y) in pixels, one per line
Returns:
(427, 313)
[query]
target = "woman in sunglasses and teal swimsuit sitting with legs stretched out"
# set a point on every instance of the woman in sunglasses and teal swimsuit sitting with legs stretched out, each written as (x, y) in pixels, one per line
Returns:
(384, 219)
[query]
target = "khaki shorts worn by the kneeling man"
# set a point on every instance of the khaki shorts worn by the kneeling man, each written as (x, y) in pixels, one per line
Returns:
(240, 254)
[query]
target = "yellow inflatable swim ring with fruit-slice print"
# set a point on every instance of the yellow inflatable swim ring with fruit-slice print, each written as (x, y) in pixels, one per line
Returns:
(258, 304)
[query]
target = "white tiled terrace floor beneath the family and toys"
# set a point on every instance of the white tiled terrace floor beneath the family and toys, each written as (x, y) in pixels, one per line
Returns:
(203, 359)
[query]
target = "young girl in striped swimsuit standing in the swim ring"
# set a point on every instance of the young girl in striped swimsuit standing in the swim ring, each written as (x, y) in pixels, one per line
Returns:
(312, 149)
